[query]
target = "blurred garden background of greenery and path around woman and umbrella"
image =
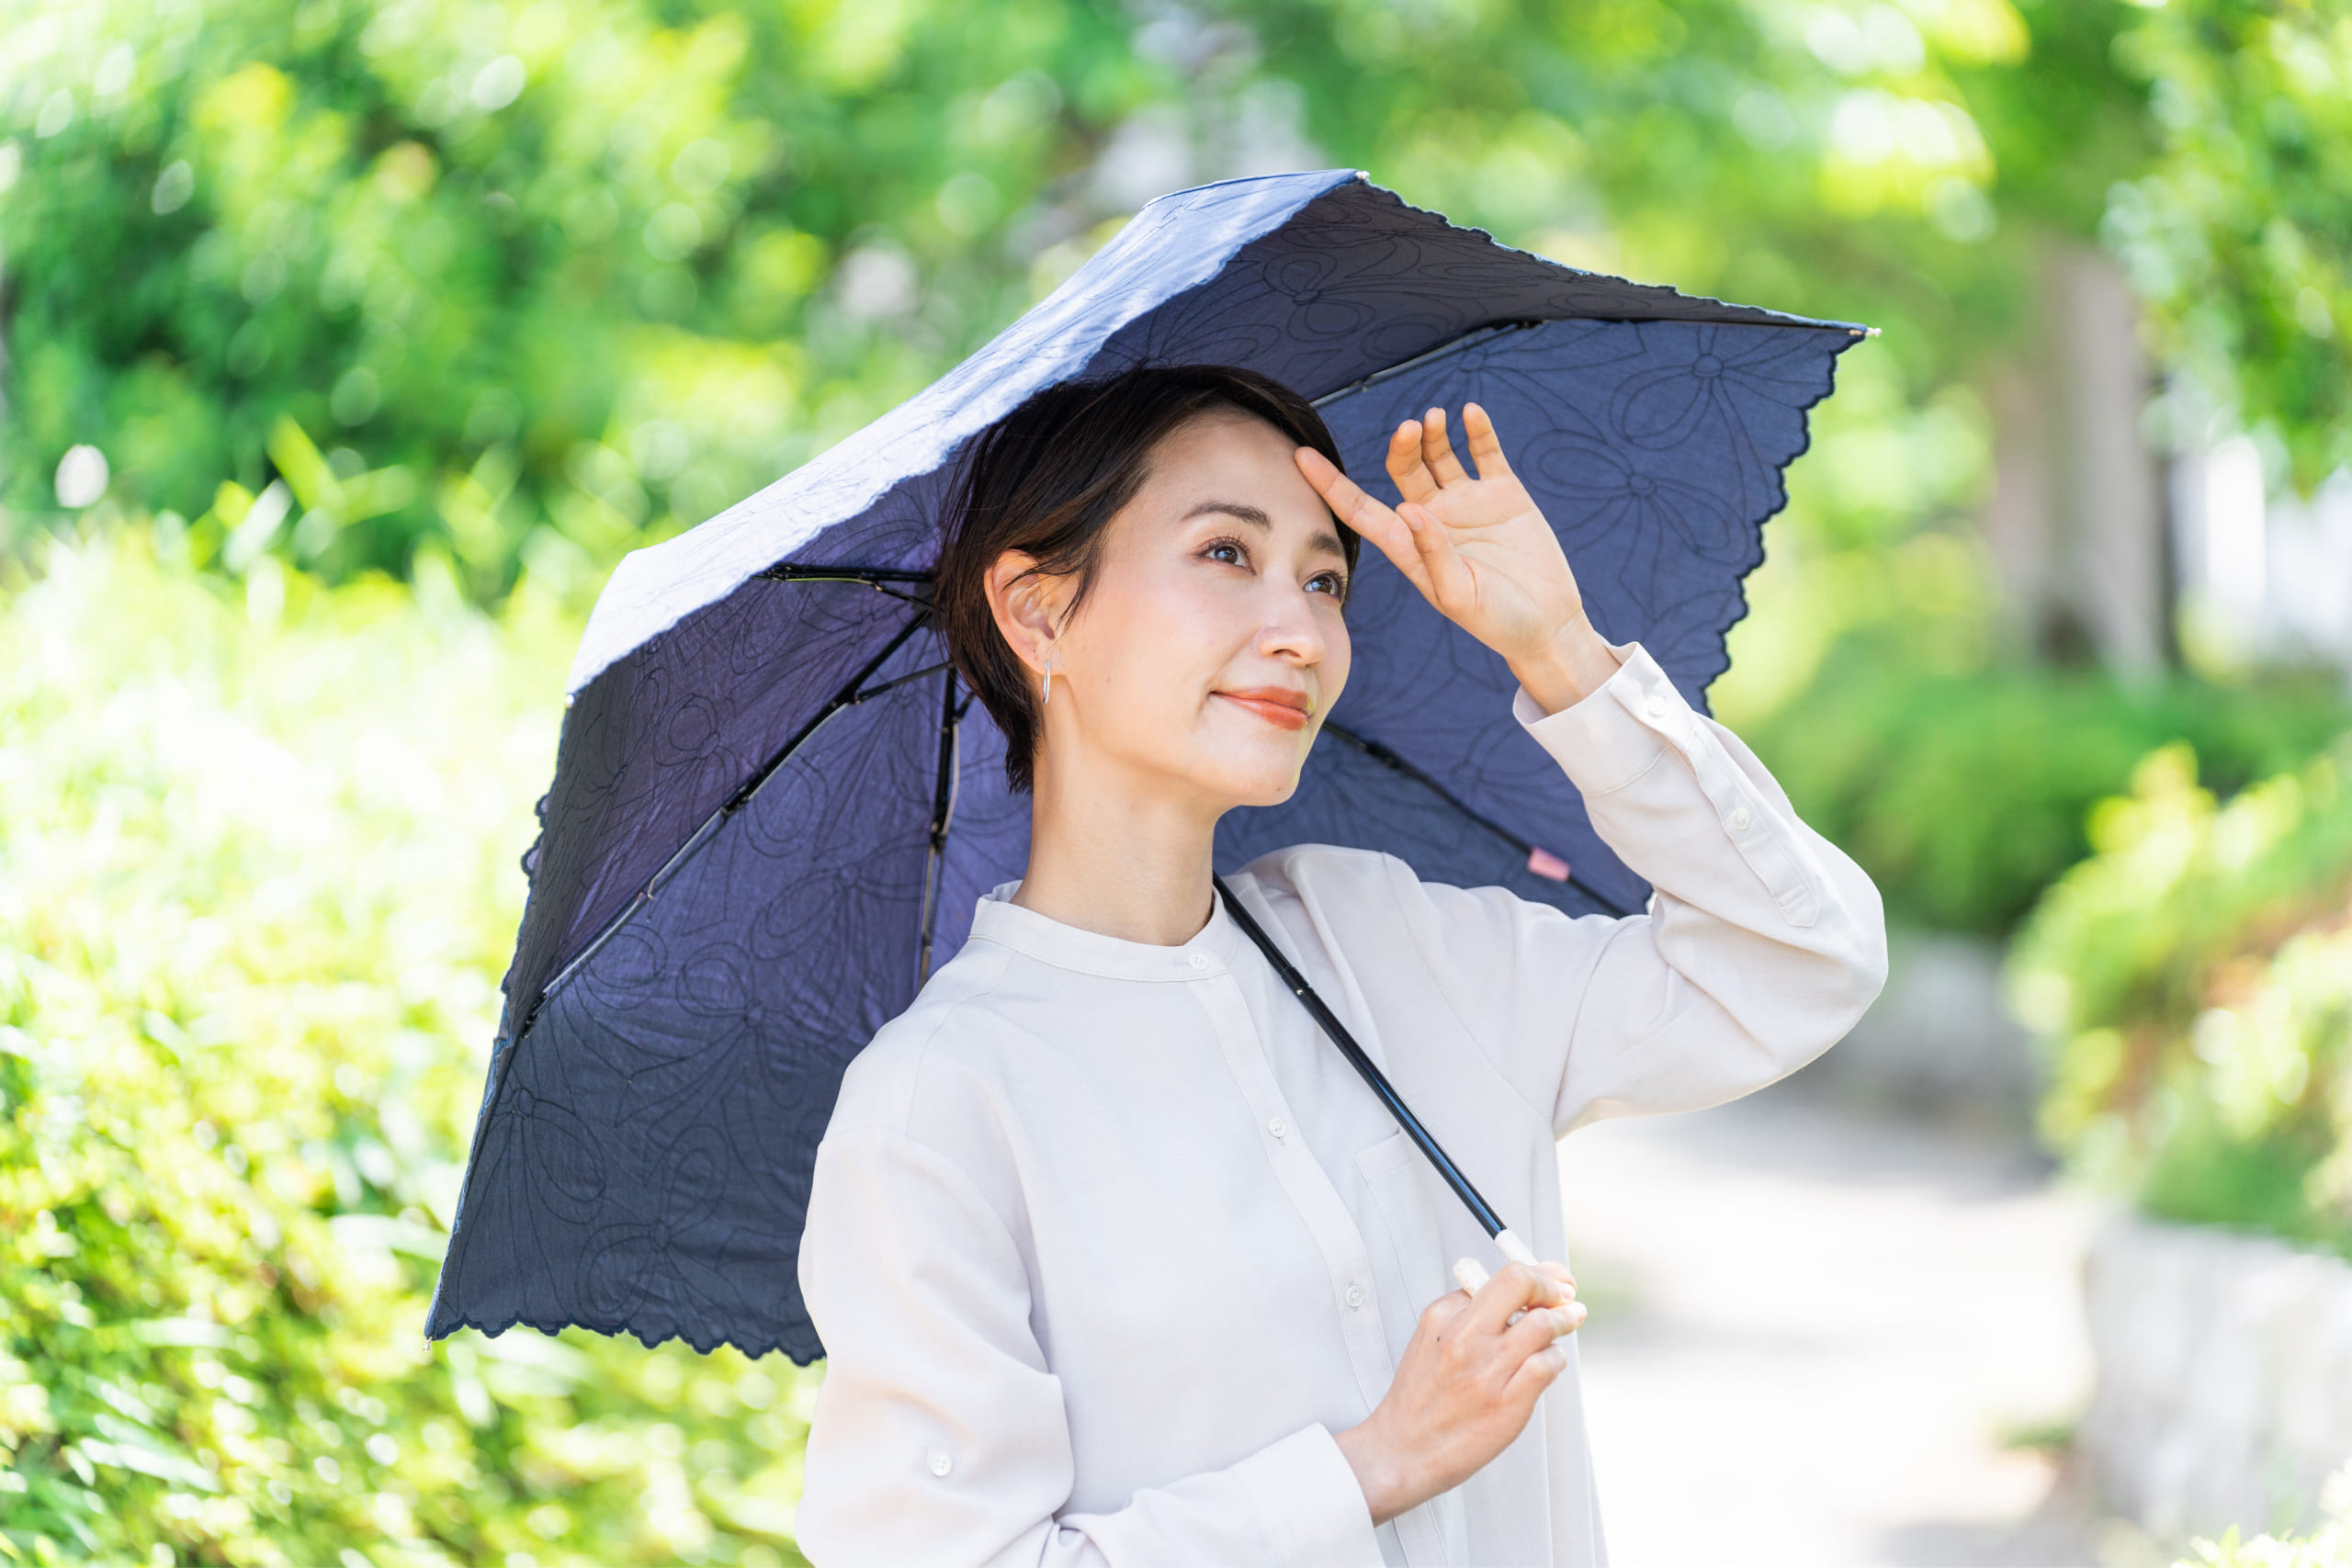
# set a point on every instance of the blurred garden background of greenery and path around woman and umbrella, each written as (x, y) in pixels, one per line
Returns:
(345, 347)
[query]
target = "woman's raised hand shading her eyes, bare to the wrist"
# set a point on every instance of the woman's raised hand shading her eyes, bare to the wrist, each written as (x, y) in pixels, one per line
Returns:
(1478, 549)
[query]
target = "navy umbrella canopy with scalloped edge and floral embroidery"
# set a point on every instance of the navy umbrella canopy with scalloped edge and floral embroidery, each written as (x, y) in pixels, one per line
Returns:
(775, 805)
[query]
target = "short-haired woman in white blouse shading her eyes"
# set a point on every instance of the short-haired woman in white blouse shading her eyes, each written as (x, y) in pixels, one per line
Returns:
(1114, 1257)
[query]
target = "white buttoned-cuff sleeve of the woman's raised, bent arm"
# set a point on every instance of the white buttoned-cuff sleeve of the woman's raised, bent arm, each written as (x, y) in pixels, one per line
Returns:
(1763, 946)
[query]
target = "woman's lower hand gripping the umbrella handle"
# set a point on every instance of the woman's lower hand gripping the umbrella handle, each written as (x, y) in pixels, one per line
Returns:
(1466, 1386)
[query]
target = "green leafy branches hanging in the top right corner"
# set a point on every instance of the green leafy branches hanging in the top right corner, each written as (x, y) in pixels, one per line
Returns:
(2243, 236)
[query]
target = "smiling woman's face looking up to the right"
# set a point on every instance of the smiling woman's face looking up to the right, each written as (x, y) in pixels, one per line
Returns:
(1210, 645)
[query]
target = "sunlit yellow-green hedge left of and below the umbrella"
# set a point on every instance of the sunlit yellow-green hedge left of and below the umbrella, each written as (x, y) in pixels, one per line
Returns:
(258, 883)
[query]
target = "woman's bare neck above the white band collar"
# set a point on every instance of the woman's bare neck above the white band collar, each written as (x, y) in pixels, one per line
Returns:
(1118, 859)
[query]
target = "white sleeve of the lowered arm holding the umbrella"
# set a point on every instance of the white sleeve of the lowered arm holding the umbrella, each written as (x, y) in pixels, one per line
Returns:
(942, 1435)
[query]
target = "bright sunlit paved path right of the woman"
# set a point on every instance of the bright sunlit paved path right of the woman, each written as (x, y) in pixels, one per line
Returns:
(1817, 1339)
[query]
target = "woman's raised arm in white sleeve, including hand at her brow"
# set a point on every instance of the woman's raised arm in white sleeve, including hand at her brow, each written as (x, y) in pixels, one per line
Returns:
(1763, 944)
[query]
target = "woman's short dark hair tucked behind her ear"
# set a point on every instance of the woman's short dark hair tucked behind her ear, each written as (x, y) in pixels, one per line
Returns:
(1048, 481)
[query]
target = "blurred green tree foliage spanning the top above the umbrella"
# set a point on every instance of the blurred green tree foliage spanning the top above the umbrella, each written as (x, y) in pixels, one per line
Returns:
(540, 281)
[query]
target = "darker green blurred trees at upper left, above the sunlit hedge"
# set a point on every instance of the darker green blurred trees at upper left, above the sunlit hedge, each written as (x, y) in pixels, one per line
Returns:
(544, 272)
